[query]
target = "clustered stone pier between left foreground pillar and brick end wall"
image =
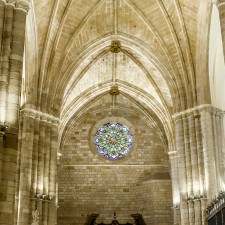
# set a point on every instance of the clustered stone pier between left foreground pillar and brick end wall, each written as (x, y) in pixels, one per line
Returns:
(38, 169)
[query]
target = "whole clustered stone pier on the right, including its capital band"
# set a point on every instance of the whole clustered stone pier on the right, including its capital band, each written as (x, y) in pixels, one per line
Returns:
(199, 143)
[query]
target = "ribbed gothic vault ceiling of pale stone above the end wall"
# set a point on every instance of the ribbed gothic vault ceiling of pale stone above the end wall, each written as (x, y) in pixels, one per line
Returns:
(68, 43)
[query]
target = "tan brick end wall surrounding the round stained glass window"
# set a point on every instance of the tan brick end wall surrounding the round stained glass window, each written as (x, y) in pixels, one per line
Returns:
(139, 183)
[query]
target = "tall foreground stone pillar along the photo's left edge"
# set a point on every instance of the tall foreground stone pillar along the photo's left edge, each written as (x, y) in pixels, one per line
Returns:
(12, 35)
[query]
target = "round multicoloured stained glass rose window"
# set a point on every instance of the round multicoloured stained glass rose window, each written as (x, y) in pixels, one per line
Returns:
(113, 140)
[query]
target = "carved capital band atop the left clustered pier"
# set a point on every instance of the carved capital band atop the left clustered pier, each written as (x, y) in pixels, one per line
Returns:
(40, 115)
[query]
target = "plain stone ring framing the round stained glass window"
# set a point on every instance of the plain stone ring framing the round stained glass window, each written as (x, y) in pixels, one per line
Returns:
(109, 120)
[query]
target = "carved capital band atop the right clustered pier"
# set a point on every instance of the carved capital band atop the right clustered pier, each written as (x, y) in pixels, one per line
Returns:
(196, 111)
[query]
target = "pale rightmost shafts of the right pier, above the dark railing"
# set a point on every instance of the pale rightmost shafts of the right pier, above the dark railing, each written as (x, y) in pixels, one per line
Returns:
(212, 142)
